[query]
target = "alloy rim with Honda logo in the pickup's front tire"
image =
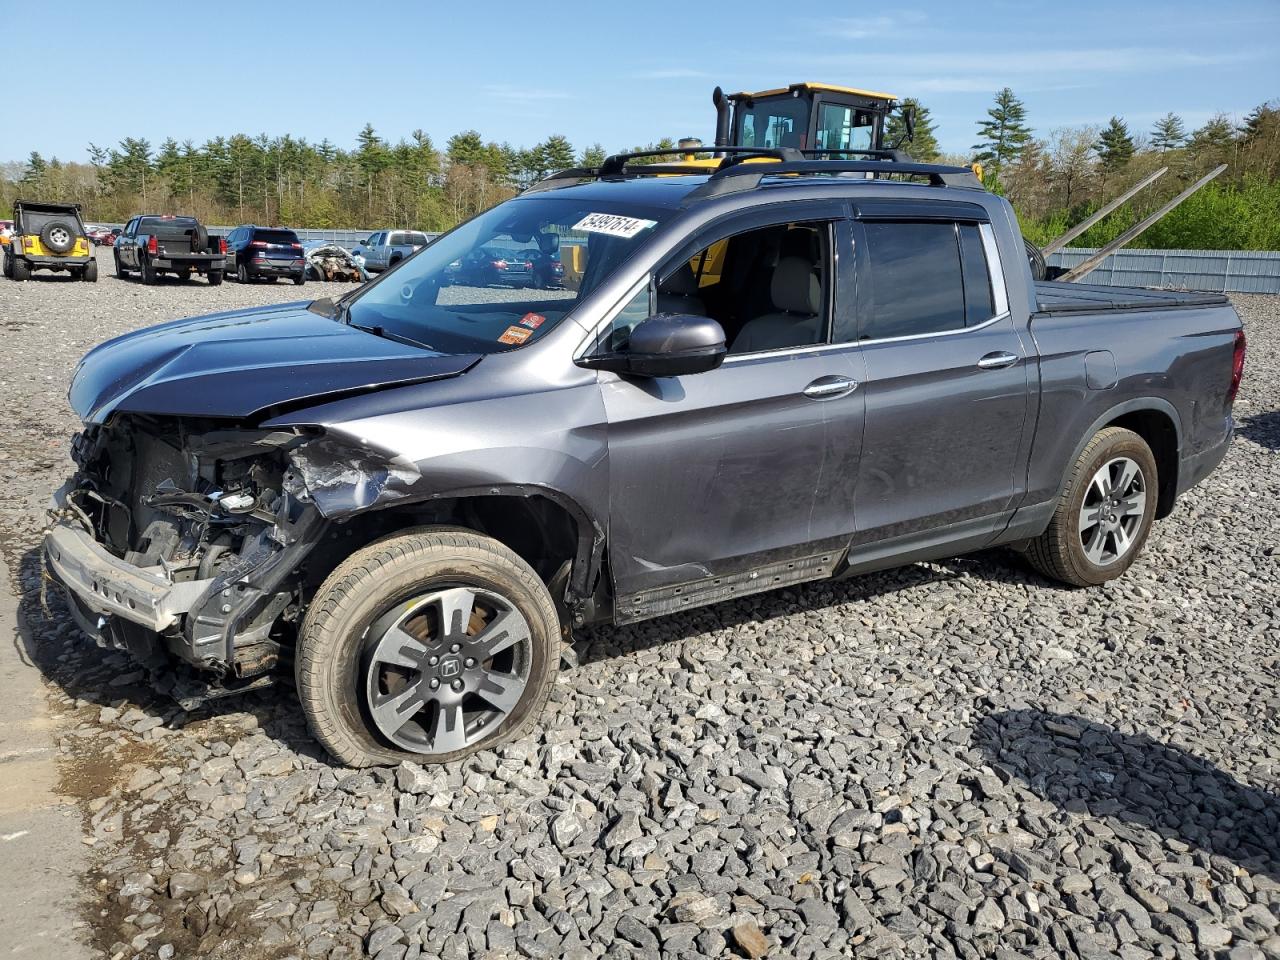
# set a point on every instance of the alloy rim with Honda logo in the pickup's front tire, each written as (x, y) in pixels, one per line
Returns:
(445, 670)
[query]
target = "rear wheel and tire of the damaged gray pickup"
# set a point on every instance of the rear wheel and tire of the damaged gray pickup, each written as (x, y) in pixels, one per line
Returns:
(1105, 514)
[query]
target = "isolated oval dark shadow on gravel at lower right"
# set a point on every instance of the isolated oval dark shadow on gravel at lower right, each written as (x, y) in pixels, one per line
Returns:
(1137, 780)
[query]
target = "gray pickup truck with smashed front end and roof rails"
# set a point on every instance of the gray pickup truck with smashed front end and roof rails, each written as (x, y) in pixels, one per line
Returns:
(755, 378)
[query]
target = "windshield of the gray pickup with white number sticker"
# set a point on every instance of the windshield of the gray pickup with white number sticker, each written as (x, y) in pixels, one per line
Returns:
(488, 286)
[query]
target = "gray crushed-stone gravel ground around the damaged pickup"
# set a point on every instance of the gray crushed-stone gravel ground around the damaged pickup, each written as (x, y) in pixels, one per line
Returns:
(949, 760)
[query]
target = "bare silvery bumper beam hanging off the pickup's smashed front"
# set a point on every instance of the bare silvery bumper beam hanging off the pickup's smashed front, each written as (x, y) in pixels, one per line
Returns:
(106, 586)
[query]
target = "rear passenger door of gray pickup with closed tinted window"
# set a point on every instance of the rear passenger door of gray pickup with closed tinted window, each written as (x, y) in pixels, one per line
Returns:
(947, 385)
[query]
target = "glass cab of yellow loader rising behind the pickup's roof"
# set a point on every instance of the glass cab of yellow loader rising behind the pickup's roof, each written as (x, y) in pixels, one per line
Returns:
(810, 117)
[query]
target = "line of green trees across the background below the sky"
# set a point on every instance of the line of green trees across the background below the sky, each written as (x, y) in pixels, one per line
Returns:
(1053, 182)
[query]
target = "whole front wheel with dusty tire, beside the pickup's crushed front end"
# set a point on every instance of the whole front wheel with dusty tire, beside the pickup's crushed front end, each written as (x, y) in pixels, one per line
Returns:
(429, 646)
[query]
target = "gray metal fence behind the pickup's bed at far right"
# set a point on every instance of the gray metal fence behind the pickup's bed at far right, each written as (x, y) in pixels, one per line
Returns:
(1214, 271)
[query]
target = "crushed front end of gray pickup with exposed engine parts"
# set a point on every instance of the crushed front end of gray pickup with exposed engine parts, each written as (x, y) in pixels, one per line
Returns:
(184, 541)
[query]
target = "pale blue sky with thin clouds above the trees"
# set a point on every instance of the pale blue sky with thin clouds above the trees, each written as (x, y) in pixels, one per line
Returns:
(615, 74)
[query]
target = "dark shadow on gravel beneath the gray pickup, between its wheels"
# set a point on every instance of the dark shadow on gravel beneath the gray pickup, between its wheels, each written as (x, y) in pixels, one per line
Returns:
(998, 566)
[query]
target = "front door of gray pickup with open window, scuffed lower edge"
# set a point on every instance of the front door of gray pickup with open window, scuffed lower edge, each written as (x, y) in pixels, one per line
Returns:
(739, 479)
